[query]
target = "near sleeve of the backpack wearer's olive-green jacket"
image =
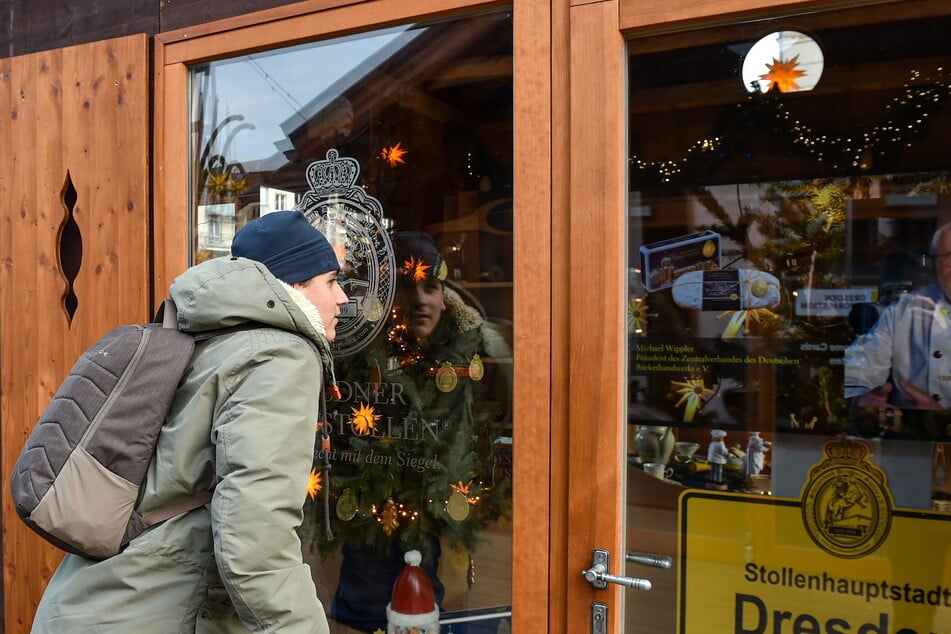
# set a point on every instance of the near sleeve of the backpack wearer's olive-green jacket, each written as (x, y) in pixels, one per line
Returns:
(264, 436)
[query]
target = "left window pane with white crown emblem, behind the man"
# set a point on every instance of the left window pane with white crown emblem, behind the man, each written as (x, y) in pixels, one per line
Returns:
(398, 145)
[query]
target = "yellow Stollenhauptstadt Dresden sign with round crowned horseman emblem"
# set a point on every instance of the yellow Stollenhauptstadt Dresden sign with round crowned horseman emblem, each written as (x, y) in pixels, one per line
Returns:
(840, 560)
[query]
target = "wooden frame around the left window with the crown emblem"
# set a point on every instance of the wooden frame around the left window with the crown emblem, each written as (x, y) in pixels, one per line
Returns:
(540, 471)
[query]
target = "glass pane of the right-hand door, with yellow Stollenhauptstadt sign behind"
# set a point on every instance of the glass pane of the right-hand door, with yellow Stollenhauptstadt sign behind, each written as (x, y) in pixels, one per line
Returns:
(788, 323)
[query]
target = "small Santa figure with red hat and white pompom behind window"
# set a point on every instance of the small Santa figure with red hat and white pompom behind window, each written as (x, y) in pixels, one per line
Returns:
(412, 604)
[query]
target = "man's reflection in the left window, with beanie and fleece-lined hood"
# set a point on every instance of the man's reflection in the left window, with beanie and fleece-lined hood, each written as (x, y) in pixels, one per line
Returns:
(441, 396)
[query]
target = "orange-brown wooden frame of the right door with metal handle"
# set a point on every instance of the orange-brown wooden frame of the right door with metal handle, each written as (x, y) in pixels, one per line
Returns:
(597, 293)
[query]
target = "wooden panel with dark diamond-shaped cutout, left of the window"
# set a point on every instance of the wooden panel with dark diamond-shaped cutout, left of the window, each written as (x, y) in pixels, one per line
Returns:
(74, 143)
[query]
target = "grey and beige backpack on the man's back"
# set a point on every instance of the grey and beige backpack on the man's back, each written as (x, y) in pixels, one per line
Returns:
(78, 478)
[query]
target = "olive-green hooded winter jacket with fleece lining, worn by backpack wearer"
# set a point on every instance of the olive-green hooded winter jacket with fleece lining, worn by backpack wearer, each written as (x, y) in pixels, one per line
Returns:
(243, 422)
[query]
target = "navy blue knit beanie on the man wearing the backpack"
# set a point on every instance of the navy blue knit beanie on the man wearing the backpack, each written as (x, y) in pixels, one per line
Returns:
(285, 242)
